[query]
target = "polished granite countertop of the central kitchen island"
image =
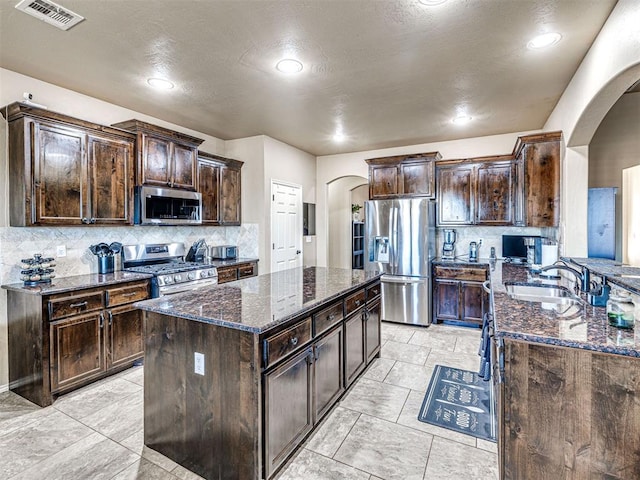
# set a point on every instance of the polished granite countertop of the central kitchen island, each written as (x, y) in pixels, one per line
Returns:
(257, 304)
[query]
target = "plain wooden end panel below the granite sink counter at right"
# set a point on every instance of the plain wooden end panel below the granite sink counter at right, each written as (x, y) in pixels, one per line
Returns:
(569, 413)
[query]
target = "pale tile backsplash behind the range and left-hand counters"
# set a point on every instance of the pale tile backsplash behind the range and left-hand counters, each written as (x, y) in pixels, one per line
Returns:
(17, 243)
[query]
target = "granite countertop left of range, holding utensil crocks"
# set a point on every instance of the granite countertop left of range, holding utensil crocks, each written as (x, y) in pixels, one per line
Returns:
(68, 284)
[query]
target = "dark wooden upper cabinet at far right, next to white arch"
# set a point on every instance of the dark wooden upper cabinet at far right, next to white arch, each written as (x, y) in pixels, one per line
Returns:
(537, 199)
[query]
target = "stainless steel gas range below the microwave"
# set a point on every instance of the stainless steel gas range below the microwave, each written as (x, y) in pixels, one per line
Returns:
(171, 274)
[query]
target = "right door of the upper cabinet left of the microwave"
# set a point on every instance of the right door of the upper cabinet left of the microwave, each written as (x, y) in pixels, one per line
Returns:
(111, 180)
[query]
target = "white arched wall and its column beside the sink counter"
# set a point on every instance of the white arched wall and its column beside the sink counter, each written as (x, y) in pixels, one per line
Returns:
(610, 67)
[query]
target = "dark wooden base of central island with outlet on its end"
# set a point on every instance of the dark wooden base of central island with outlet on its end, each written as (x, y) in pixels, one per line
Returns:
(262, 393)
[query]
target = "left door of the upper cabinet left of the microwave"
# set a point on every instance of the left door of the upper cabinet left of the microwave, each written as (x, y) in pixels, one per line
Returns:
(59, 182)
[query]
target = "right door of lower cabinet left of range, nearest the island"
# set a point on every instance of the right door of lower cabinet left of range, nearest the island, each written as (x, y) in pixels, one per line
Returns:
(125, 343)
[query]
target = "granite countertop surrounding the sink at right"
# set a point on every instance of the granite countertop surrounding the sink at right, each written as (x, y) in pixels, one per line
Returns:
(576, 326)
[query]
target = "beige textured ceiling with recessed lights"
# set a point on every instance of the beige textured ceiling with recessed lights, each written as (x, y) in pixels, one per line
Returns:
(387, 72)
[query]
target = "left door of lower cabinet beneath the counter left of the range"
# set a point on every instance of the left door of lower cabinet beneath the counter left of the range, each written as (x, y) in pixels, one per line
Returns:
(77, 350)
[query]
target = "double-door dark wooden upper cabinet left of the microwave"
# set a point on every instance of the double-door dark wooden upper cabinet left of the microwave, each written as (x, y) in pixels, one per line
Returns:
(66, 171)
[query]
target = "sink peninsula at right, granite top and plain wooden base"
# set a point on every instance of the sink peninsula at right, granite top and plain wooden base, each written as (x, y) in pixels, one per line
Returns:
(568, 387)
